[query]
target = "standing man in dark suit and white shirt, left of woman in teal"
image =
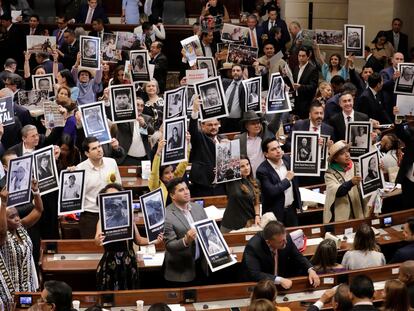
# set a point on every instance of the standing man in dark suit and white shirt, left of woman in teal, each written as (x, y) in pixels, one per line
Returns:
(305, 77)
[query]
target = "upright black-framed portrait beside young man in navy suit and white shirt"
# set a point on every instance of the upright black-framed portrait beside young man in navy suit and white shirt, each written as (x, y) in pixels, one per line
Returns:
(305, 158)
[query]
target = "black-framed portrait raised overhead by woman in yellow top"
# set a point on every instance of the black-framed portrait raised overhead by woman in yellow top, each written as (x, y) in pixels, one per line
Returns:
(174, 131)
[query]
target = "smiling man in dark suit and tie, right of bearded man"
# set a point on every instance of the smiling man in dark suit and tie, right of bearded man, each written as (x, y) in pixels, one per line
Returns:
(348, 114)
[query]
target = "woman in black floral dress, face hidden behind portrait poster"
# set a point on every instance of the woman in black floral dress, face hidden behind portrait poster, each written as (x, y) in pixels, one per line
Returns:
(118, 268)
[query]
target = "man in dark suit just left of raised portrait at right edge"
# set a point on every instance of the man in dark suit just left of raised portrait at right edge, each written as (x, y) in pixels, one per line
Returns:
(389, 75)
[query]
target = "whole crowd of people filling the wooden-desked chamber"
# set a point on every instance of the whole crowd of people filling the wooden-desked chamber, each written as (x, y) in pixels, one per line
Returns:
(326, 95)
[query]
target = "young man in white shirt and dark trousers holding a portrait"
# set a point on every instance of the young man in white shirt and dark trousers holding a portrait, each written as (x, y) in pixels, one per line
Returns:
(99, 171)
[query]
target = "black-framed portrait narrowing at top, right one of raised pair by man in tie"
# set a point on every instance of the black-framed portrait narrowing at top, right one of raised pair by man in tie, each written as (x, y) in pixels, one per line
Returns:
(277, 100)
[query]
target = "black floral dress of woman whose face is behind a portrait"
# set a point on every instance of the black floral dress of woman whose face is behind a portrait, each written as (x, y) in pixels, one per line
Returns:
(118, 268)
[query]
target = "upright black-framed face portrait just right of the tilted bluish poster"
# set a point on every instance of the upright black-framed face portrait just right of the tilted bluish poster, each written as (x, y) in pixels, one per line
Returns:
(123, 105)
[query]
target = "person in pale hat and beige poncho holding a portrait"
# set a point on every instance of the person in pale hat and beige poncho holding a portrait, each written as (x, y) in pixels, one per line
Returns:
(343, 193)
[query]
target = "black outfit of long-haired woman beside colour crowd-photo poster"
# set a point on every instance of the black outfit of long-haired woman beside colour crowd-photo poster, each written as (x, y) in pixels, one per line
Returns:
(240, 205)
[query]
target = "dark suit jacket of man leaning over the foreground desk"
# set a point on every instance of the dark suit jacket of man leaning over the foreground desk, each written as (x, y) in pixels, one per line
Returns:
(259, 263)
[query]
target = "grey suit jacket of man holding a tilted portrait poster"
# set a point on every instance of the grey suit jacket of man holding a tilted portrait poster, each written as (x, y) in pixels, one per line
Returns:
(179, 263)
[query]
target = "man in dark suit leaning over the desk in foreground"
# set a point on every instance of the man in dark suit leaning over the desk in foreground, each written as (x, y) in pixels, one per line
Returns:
(272, 255)
